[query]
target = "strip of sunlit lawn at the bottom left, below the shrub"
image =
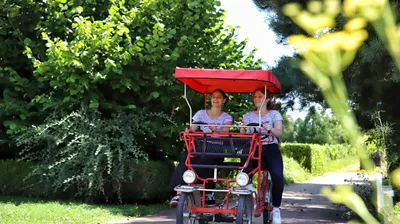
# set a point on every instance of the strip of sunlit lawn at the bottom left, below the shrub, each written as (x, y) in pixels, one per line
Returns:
(27, 210)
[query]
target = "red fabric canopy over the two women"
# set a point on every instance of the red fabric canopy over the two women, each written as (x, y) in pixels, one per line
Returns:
(230, 81)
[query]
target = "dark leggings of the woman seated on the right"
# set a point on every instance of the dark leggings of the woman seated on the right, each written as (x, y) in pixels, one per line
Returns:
(271, 159)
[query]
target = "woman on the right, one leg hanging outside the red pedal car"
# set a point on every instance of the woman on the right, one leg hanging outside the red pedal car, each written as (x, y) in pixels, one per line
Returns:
(271, 158)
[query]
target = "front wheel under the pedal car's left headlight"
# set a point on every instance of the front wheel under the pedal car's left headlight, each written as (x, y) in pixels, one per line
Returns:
(184, 209)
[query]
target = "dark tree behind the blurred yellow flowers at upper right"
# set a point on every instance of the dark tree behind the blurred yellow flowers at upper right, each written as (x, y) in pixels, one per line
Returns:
(372, 79)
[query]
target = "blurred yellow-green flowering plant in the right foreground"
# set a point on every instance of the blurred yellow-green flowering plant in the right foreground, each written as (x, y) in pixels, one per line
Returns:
(326, 52)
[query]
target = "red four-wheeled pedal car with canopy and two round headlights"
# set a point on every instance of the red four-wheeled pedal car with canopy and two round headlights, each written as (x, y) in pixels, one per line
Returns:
(245, 146)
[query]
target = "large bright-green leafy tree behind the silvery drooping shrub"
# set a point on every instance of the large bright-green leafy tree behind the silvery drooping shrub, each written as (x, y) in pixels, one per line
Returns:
(109, 56)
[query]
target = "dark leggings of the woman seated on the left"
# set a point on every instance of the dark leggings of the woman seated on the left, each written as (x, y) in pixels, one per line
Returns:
(176, 178)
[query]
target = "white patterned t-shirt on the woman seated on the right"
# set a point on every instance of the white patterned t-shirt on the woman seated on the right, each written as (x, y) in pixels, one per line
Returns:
(271, 117)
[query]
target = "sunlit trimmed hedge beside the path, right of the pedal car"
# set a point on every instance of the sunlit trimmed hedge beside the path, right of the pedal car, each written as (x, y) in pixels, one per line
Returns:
(313, 157)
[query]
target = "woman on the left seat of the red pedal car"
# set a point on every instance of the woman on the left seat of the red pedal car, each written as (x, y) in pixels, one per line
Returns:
(213, 116)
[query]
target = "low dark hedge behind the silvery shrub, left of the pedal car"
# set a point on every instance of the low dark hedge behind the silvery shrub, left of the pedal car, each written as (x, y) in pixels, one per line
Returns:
(151, 181)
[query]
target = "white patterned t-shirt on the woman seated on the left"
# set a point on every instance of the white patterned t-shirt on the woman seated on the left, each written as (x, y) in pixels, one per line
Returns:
(202, 116)
